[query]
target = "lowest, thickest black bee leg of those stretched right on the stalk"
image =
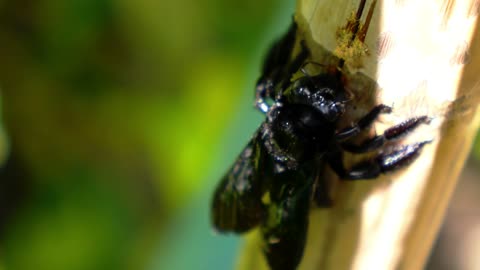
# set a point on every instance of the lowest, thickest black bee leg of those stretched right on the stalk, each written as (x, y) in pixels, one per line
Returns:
(383, 163)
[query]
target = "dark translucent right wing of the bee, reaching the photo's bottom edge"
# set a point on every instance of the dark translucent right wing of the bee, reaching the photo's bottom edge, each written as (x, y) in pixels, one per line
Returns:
(285, 227)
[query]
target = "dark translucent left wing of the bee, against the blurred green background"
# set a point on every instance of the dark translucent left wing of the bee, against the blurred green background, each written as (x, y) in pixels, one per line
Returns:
(237, 204)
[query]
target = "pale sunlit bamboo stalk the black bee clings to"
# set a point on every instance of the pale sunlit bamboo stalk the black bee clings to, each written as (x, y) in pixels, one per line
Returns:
(424, 57)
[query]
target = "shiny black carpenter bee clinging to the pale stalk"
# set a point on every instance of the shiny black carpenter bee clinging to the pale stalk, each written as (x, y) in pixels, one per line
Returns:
(272, 183)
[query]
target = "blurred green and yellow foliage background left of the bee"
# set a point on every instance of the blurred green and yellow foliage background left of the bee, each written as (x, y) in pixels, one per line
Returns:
(118, 117)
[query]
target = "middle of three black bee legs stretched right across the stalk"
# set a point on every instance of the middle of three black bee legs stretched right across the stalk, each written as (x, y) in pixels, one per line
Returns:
(394, 133)
